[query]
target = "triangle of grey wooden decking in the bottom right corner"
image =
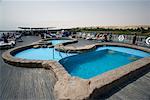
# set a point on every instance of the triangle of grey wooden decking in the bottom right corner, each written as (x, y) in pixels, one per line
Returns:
(137, 90)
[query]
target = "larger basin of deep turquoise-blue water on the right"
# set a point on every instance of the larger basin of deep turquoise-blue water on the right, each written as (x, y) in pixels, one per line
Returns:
(103, 59)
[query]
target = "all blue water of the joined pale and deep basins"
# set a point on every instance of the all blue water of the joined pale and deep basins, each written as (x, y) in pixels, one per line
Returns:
(87, 65)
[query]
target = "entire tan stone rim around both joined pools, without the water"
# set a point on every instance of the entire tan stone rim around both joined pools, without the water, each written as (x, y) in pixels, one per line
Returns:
(74, 87)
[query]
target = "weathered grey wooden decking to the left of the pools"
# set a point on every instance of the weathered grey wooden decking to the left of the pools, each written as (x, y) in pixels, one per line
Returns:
(18, 83)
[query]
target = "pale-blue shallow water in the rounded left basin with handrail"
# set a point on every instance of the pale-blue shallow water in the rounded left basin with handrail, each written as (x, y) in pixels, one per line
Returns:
(42, 54)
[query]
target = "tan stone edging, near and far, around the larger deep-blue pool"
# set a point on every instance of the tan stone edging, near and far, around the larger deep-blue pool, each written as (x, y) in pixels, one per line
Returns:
(75, 88)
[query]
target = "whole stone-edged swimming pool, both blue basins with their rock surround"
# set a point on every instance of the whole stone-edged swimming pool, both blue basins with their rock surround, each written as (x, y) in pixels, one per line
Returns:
(77, 65)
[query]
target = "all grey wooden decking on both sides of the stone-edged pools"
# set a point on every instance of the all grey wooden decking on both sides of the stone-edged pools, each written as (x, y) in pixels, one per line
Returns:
(37, 84)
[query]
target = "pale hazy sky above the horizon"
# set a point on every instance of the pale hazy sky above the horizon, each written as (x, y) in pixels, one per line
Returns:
(73, 13)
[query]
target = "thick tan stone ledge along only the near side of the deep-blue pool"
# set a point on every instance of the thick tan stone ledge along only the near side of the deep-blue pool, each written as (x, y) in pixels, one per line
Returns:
(73, 88)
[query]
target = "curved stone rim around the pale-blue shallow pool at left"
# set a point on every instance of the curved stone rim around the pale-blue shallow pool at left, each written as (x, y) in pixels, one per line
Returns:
(20, 62)
